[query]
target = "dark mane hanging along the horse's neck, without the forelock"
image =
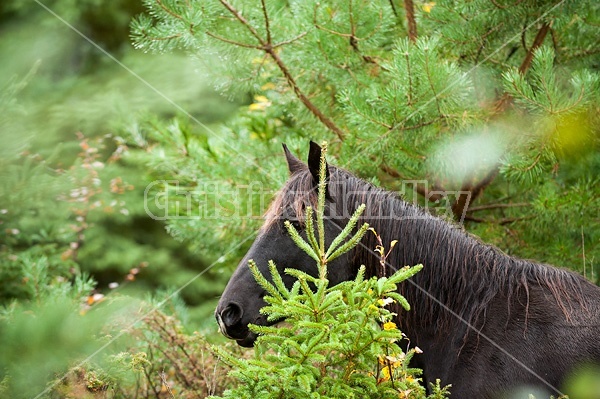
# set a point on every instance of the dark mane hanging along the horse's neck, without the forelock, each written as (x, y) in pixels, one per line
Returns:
(460, 276)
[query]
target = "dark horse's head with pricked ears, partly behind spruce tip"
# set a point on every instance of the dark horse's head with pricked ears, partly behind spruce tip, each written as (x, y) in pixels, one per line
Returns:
(242, 299)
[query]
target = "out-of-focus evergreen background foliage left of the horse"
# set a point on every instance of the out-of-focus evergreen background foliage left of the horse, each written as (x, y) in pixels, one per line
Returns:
(69, 191)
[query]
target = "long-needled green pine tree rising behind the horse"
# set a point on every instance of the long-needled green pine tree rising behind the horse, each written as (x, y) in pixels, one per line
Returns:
(489, 107)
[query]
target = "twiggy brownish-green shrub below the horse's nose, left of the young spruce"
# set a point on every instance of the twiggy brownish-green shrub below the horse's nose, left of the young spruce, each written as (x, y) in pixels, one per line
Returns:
(166, 360)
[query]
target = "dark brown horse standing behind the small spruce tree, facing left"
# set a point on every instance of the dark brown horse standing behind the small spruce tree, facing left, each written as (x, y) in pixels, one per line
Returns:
(487, 323)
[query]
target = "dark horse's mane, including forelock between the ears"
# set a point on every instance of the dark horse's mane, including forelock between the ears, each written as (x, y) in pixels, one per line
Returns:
(461, 274)
